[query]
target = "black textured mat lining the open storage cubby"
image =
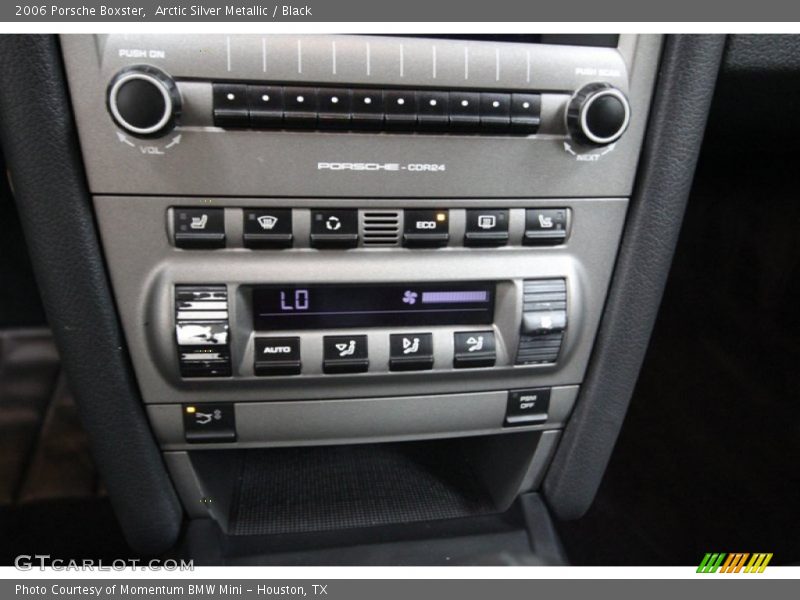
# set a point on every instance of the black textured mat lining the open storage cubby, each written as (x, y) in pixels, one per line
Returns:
(297, 490)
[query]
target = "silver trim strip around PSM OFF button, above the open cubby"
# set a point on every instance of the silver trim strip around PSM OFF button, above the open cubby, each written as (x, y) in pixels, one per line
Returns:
(344, 421)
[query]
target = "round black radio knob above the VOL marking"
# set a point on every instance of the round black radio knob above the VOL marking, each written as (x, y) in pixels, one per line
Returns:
(144, 101)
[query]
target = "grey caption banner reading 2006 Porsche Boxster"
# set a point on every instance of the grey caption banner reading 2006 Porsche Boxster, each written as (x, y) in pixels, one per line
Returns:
(449, 11)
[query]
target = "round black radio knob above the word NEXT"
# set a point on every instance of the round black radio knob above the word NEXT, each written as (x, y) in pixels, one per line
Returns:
(598, 114)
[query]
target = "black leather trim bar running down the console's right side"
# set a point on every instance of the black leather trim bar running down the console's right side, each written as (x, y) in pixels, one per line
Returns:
(685, 86)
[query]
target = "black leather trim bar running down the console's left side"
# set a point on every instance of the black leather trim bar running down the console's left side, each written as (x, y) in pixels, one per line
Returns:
(39, 141)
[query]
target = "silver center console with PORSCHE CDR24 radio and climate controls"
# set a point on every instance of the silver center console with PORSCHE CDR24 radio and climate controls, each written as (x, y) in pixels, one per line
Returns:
(328, 241)
